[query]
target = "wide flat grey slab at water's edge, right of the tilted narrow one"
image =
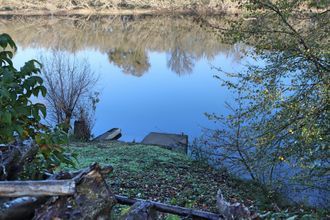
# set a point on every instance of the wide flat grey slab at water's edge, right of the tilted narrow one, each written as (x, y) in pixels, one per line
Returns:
(177, 142)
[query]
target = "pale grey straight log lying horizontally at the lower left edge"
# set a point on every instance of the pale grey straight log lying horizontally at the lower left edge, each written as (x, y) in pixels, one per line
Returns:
(37, 188)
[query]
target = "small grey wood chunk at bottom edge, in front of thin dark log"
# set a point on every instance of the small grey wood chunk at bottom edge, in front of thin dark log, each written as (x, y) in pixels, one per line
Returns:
(141, 211)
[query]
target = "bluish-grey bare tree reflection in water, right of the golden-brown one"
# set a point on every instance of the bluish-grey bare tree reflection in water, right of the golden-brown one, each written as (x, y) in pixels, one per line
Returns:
(180, 61)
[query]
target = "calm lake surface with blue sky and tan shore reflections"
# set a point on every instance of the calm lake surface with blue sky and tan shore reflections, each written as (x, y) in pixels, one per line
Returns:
(156, 73)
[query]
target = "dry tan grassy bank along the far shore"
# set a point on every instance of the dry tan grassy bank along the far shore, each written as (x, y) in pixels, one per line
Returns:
(44, 7)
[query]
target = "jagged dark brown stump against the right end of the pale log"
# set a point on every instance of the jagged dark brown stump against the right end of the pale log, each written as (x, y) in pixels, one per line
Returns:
(92, 199)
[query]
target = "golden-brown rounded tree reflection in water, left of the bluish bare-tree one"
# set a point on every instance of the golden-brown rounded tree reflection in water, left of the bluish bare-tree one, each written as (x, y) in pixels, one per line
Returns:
(133, 62)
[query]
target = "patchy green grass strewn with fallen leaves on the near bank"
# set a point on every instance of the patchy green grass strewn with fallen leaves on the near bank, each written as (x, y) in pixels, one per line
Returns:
(158, 174)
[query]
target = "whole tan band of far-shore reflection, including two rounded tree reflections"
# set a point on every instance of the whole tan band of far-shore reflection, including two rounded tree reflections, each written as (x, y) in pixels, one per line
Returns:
(124, 38)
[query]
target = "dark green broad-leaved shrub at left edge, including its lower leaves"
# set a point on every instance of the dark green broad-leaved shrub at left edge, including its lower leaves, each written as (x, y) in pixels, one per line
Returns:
(21, 117)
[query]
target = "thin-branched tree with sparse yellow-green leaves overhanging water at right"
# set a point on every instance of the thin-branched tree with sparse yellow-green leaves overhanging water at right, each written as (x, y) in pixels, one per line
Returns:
(286, 97)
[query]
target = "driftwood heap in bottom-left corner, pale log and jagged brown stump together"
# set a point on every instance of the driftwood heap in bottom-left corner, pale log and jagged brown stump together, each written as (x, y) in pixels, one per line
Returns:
(90, 199)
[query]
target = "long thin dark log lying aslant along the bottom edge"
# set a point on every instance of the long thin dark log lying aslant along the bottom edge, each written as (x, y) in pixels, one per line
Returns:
(185, 212)
